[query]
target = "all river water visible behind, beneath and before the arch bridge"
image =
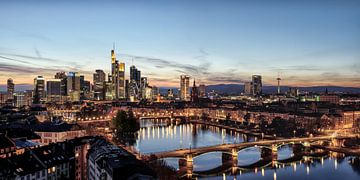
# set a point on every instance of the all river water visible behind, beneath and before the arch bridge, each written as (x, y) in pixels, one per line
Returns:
(161, 137)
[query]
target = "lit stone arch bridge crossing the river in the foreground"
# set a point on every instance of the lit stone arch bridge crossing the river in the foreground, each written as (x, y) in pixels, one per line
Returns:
(268, 150)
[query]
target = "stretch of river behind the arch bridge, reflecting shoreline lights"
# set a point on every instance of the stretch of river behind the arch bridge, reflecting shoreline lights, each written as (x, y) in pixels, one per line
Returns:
(158, 137)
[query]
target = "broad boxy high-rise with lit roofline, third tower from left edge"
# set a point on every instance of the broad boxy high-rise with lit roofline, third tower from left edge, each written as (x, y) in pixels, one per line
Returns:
(53, 90)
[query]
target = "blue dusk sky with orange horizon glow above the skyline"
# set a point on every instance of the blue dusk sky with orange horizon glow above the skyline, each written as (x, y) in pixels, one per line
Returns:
(307, 42)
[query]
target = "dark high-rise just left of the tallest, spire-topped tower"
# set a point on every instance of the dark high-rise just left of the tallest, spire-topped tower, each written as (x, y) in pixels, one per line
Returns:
(99, 84)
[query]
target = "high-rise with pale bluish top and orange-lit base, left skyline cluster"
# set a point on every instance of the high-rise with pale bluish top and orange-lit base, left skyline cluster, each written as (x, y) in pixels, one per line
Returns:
(73, 86)
